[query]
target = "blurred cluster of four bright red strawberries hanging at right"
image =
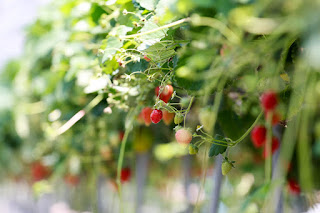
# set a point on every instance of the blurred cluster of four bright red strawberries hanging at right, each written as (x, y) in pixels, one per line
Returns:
(269, 102)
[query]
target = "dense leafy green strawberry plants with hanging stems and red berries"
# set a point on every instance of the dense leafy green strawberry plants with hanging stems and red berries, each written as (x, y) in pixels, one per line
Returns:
(239, 80)
